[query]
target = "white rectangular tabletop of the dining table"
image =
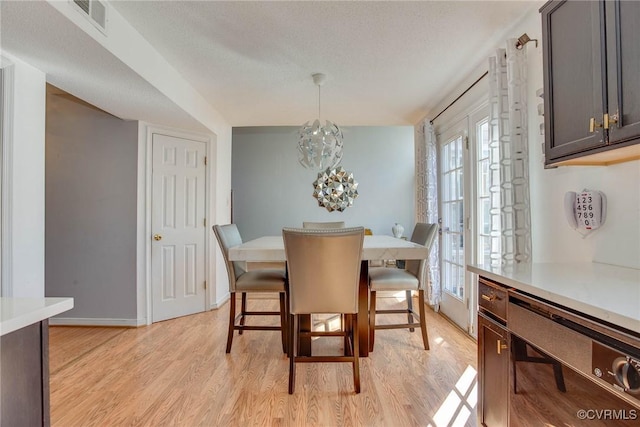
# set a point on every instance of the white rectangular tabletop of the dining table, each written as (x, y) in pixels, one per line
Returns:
(271, 248)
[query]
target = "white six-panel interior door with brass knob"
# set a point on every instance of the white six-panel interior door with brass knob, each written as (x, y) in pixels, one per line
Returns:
(178, 227)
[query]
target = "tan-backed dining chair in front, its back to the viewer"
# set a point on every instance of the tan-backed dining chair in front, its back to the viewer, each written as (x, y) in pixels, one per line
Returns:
(323, 269)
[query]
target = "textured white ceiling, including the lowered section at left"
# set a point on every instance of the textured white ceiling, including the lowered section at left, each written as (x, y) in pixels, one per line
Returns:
(387, 62)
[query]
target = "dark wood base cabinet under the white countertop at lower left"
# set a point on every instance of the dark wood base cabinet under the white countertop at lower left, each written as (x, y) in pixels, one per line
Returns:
(24, 376)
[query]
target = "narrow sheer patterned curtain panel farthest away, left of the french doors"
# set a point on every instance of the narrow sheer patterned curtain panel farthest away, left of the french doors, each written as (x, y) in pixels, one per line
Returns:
(427, 200)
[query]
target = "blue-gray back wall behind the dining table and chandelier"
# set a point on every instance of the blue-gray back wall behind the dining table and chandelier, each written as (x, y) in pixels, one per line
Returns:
(272, 190)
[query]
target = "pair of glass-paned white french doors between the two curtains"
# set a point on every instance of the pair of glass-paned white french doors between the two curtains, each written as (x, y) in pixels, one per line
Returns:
(465, 234)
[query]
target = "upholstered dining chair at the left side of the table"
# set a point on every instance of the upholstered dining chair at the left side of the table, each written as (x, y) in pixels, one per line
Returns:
(245, 282)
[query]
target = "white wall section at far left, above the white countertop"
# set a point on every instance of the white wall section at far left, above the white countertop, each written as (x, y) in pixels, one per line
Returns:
(23, 181)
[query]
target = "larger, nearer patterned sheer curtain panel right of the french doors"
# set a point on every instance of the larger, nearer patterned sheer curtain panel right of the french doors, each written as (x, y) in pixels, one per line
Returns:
(509, 156)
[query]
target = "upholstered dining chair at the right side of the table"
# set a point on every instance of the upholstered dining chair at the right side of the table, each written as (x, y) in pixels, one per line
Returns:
(411, 278)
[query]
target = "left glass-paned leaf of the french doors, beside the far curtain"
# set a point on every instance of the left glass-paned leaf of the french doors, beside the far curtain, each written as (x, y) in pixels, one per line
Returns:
(453, 211)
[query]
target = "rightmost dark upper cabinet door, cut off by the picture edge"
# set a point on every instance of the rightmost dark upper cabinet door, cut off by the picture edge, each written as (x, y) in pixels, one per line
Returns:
(623, 69)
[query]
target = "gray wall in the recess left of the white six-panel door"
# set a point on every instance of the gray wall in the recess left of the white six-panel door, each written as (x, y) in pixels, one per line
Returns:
(90, 216)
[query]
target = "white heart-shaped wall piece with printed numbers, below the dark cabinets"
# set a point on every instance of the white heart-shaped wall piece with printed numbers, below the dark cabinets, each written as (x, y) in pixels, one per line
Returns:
(586, 211)
